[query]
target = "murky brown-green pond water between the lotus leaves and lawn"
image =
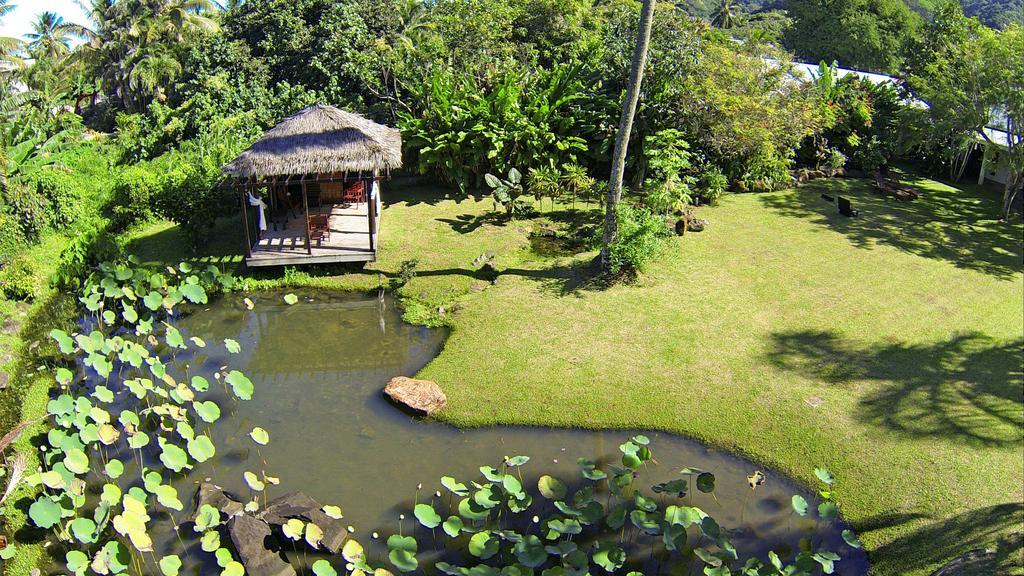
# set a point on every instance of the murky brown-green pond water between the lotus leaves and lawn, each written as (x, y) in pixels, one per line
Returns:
(319, 368)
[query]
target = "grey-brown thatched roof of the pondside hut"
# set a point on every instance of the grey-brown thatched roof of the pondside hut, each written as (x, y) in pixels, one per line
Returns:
(320, 140)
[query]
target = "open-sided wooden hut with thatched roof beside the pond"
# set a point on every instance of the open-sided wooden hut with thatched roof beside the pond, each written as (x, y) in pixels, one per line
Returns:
(314, 178)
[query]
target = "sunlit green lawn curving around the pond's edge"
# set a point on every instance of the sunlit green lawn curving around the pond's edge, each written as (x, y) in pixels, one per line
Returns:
(886, 348)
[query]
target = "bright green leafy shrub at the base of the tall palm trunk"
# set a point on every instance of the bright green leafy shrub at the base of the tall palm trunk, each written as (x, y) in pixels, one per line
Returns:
(642, 236)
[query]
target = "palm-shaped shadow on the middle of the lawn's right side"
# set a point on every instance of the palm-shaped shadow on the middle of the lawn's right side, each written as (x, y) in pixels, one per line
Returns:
(968, 389)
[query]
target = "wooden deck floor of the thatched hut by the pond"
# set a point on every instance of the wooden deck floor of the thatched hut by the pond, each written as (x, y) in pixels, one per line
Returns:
(350, 240)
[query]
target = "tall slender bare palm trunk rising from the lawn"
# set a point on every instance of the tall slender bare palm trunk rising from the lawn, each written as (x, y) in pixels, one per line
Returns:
(625, 128)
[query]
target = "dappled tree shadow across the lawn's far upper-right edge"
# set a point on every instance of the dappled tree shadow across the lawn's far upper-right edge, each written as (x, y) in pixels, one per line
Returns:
(957, 226)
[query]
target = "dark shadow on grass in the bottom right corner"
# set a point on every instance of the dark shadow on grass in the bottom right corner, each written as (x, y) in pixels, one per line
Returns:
(997, 528)
